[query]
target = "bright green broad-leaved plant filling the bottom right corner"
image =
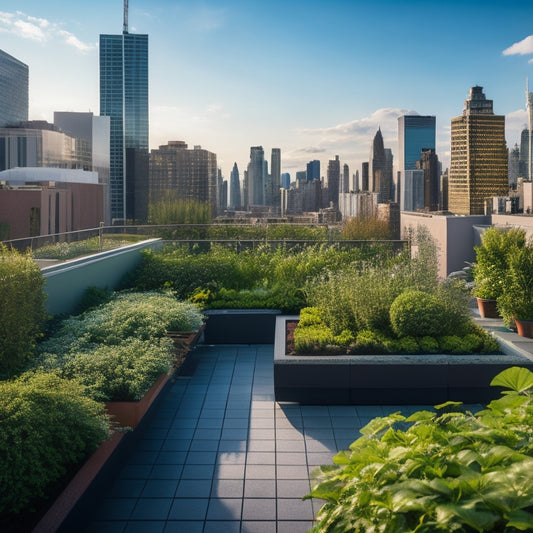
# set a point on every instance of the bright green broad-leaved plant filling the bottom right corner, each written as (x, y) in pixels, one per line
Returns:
(448, 470)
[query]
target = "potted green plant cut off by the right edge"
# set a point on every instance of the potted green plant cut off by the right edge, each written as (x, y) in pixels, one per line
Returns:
(516, 302)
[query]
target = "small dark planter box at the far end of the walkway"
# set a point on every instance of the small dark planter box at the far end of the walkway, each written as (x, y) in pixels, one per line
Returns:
(240, 326)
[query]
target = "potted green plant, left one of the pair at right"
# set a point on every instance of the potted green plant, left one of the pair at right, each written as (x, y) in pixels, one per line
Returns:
(491, 266)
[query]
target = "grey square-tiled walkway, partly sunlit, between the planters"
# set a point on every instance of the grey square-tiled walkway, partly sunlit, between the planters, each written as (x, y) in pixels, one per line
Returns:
(221, 456)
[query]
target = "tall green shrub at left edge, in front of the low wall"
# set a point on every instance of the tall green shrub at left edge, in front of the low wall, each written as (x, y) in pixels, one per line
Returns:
(22, 310)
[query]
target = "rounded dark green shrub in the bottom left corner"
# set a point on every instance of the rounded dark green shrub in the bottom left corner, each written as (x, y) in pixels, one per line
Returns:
(47, 426)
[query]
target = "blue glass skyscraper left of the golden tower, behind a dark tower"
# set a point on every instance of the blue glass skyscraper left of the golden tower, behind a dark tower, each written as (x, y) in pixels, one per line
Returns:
(415, 133)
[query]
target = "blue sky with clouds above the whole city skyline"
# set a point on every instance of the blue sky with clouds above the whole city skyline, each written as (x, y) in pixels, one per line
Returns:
(314, 78)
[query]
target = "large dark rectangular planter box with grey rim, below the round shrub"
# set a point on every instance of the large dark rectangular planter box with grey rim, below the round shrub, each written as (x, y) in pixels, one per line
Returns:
(388, 379)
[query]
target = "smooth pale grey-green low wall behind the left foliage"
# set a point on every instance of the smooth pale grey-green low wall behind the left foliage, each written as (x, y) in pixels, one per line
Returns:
(67, 282)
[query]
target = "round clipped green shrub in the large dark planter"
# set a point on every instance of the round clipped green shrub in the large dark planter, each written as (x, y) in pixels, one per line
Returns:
(416, 313)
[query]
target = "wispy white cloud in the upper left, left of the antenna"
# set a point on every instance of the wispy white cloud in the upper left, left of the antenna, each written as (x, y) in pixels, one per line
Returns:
(40, 30)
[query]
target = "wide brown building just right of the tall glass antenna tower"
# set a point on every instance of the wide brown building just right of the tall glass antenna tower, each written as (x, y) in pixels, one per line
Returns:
(189, 174)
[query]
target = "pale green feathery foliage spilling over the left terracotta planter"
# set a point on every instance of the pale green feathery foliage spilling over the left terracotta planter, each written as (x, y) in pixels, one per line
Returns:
(119, 349)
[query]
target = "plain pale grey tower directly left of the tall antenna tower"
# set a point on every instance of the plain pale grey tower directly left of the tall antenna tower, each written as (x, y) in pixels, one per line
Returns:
(92, 135)
